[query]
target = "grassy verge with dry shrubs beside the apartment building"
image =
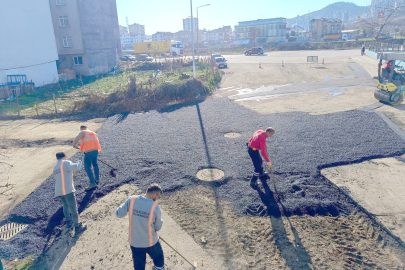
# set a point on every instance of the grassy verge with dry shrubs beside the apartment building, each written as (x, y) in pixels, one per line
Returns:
(150, 76)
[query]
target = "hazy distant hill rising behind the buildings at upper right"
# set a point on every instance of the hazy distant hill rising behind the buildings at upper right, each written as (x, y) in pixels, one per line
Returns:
(345, 11)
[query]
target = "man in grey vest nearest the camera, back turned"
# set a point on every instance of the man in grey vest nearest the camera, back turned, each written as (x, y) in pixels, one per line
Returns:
(145, 219)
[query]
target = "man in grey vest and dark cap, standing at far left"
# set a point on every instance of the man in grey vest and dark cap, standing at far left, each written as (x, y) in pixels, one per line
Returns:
(65, 191)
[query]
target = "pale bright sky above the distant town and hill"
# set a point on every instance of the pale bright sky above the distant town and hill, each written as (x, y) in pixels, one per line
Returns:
(168, 15)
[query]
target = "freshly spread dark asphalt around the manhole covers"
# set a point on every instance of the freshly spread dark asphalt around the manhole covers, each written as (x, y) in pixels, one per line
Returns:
(170, 146)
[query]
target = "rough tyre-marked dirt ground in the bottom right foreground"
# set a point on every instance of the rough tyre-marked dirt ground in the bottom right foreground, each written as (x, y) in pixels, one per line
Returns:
(298, 242)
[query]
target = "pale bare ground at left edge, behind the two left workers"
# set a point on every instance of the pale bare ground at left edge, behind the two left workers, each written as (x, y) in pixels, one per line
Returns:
(30, 145)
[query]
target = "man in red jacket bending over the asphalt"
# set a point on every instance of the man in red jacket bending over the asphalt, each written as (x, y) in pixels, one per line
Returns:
(258, 143)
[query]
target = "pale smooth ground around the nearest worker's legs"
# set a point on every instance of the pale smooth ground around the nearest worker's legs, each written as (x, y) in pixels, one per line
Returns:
(104, 245)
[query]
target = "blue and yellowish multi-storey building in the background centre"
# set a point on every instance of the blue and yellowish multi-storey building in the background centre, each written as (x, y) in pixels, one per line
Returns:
(263, 29)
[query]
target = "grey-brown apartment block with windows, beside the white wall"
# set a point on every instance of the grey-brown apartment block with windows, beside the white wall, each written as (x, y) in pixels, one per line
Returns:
(87, 35)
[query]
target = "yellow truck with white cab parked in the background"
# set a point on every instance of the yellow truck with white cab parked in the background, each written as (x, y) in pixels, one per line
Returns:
(168, 47)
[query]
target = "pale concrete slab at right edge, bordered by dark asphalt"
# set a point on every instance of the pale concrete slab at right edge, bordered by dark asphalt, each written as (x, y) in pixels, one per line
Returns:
(377, 185)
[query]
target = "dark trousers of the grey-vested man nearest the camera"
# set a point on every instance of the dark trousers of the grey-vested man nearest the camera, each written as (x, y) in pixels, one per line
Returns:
(155, 252)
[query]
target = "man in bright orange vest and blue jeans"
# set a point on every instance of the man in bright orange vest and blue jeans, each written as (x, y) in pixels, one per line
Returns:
(90, 145)
